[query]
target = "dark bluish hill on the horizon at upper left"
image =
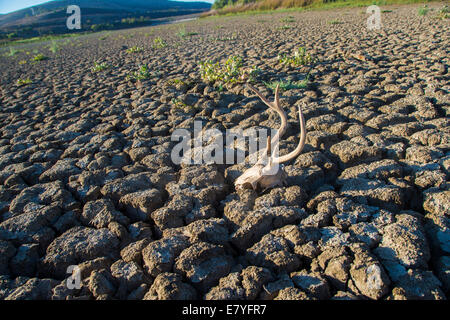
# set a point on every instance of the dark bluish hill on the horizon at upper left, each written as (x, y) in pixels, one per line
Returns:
(50, 17)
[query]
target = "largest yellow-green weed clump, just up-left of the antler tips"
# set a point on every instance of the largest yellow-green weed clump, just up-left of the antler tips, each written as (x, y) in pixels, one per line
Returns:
(232, 71)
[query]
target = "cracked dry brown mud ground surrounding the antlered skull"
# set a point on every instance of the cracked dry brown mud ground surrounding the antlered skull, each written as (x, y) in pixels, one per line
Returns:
(86, 176)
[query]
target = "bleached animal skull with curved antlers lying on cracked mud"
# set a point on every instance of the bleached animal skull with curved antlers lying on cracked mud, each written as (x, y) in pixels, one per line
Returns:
(267, 172)
